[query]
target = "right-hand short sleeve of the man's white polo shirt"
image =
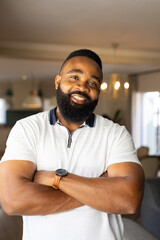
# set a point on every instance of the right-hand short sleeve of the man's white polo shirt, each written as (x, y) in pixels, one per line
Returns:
(122, 148)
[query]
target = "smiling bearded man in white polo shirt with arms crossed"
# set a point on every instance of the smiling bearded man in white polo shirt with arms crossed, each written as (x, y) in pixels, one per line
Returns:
(71, 173)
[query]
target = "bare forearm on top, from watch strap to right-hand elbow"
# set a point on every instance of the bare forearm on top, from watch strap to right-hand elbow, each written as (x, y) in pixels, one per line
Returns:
(112, 195)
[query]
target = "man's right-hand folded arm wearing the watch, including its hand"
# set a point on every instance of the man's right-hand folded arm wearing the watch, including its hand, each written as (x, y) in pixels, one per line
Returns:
(118, 191)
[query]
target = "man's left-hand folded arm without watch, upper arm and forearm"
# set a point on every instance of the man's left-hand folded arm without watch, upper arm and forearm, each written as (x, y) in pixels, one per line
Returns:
(19, 195)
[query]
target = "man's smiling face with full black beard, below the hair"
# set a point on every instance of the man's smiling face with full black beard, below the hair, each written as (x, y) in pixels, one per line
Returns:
(78, 88)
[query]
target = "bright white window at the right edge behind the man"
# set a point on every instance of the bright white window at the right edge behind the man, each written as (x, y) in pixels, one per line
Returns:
(148, 121)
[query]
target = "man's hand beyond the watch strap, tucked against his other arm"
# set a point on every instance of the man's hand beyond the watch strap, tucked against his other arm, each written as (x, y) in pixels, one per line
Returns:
(44, 177)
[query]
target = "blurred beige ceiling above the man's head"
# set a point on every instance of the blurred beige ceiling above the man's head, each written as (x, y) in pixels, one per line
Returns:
(36, 35)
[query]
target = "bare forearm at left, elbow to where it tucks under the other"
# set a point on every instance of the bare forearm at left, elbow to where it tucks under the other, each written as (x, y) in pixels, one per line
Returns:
(36, 199)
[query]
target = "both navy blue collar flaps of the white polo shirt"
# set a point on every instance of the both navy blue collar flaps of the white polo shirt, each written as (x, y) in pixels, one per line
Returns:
(53, 118)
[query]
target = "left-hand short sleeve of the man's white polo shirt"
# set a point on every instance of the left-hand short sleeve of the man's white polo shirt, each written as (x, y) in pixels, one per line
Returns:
(20, 144)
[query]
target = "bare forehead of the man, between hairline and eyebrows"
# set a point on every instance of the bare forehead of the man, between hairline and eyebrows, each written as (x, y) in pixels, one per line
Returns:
(83, 63)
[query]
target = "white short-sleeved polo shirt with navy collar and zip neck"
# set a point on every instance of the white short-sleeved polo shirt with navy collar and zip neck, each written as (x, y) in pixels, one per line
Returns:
(88, 152)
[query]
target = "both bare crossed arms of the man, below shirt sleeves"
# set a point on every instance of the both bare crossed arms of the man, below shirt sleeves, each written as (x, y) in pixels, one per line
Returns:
(25, 191)
